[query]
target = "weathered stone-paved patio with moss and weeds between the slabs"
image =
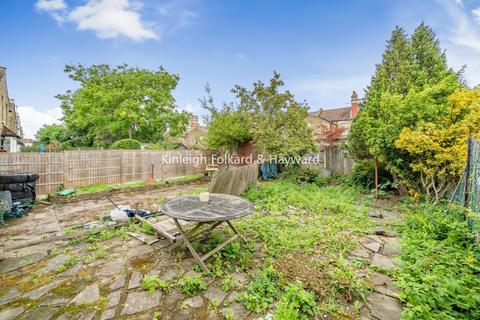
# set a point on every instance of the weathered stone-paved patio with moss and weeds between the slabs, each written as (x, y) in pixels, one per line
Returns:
(100, 276)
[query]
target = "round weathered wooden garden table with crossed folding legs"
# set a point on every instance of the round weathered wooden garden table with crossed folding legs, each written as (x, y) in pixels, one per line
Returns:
(221, 208)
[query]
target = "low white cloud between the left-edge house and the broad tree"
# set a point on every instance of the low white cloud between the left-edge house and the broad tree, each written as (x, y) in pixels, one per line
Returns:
(33, 119)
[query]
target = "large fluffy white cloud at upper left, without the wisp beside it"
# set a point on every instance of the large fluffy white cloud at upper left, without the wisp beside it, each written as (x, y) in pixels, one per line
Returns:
(111, 19)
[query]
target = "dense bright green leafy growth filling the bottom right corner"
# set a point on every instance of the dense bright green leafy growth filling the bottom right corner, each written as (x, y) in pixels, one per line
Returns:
(439, 274)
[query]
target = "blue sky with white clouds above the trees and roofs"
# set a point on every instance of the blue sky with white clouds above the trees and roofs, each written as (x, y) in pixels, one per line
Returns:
(323, 49)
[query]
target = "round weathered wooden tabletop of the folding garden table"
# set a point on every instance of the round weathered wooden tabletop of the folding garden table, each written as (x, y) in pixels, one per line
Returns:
(220, 207)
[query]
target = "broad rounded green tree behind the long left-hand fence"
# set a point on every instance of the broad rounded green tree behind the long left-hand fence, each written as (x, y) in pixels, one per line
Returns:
(120, 102)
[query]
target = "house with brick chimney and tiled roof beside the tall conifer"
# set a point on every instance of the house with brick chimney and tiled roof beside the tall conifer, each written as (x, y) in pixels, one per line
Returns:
(339, 117)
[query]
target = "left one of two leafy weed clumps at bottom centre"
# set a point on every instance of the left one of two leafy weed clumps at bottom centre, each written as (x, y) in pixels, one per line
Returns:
(262, 290)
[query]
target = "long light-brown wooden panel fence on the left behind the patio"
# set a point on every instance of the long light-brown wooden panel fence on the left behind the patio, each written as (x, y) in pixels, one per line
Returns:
(81, 168)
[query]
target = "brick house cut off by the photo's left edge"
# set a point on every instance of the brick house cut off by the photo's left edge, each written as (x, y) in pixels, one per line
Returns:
(11, 132)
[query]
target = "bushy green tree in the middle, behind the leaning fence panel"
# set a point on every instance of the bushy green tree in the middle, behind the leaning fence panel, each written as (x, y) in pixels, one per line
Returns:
(271, 118)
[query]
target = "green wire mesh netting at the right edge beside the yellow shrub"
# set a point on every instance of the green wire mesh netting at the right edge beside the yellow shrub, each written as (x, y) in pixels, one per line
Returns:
(467, 192)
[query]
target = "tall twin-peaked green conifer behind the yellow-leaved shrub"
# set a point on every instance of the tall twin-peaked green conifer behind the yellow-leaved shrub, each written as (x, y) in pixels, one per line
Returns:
(409, 65)
